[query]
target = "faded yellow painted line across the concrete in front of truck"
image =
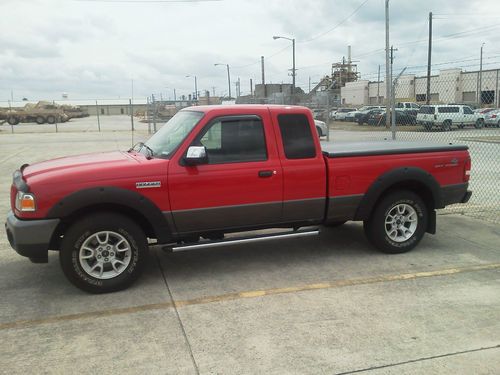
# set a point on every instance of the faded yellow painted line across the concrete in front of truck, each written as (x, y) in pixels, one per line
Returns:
(247, 294)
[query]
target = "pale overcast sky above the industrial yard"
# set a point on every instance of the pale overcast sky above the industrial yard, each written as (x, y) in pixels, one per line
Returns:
(98, 49)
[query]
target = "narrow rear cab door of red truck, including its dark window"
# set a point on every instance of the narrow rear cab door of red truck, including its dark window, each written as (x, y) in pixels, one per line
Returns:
(304, 169)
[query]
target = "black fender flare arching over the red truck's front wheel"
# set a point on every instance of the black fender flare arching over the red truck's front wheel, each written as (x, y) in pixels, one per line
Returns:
(114, 196)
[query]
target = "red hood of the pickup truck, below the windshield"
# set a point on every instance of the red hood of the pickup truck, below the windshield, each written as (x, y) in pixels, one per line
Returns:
(87, 167)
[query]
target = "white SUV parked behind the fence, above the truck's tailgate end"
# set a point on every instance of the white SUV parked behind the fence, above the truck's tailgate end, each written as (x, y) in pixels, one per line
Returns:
(446, 116)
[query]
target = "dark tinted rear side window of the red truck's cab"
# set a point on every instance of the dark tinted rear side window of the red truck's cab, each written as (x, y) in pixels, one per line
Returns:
(296, 136)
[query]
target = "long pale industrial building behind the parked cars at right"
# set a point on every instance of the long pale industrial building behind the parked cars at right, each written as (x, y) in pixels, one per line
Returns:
(449, 86)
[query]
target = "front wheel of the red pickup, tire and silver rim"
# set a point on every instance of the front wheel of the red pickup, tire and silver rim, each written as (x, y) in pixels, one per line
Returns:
(83, 234)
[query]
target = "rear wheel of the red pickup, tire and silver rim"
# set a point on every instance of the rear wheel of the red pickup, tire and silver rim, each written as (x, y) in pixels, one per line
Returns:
(377, 231)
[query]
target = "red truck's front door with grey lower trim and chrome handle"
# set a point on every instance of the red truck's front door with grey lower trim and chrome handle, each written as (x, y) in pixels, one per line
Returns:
(240, 186)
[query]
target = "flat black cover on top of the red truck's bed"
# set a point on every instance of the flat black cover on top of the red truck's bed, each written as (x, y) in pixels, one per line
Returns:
(368, 148)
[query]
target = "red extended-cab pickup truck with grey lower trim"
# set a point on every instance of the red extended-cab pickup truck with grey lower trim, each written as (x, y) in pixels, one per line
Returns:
(215, 170)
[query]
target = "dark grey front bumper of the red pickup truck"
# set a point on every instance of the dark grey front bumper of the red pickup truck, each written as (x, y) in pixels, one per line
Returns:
(30, 238)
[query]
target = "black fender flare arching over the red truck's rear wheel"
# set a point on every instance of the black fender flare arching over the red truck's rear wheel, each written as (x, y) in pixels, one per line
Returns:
(399, 176)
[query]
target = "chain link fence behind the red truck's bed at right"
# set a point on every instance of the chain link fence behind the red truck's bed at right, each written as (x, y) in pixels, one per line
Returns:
(463, 108)
